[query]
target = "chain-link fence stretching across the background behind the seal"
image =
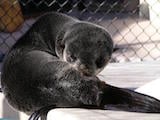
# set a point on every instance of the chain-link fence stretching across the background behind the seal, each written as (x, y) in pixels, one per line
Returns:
(133, 24)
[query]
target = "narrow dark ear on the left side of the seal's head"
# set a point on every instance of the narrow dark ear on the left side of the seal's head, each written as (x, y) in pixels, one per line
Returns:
(60, 45)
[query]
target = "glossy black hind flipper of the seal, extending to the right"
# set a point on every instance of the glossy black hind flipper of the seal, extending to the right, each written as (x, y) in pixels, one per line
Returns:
(127, 100)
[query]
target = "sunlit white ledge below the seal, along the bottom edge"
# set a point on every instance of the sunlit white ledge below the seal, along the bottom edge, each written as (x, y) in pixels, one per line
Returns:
(84, 114)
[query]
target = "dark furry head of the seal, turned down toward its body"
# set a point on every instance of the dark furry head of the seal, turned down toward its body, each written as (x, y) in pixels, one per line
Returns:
(87, 47)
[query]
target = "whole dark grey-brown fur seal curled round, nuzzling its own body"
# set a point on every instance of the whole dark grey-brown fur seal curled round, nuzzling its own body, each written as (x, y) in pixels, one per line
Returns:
(36, 74)
